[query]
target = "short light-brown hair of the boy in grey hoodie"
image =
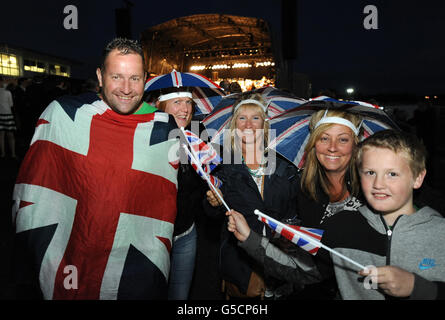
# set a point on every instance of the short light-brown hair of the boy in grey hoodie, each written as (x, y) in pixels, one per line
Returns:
(399, 142)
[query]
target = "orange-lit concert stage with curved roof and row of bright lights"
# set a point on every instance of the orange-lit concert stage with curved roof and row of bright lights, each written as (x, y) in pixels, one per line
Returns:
(218, 46)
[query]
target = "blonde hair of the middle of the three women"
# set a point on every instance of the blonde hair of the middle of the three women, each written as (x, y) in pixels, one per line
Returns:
(236, 111)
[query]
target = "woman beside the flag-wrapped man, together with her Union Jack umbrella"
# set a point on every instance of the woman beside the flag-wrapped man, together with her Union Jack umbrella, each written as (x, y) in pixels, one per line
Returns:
(184, 95)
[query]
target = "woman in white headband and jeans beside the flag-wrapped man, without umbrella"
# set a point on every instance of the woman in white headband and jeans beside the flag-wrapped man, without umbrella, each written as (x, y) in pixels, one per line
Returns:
(178, 102)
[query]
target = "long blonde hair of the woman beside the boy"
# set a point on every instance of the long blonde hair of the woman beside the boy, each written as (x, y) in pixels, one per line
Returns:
(313, 173)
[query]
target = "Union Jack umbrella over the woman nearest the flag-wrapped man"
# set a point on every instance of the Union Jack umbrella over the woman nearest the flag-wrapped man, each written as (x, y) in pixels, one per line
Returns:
(206, 94)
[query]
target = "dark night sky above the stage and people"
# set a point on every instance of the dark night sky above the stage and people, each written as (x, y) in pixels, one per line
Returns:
(404, 55)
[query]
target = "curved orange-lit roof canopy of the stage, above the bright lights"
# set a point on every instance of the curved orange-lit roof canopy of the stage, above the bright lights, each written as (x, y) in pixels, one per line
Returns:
(206, 39)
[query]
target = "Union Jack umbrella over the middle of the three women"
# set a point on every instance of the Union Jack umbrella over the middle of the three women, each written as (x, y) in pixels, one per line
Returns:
(277, 102)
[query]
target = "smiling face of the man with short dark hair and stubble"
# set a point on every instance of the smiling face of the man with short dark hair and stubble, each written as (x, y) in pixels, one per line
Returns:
(122, 82)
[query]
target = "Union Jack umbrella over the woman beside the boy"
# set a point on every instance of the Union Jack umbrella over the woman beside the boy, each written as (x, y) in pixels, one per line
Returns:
(291, 128)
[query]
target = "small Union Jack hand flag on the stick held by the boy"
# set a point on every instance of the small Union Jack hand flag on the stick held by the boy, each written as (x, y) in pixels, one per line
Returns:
(296, 238)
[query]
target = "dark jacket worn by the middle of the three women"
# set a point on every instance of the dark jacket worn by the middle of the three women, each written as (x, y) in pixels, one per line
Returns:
(241, 194)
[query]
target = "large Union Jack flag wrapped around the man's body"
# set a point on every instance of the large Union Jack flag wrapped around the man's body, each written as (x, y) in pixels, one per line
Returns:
(95, 202)
